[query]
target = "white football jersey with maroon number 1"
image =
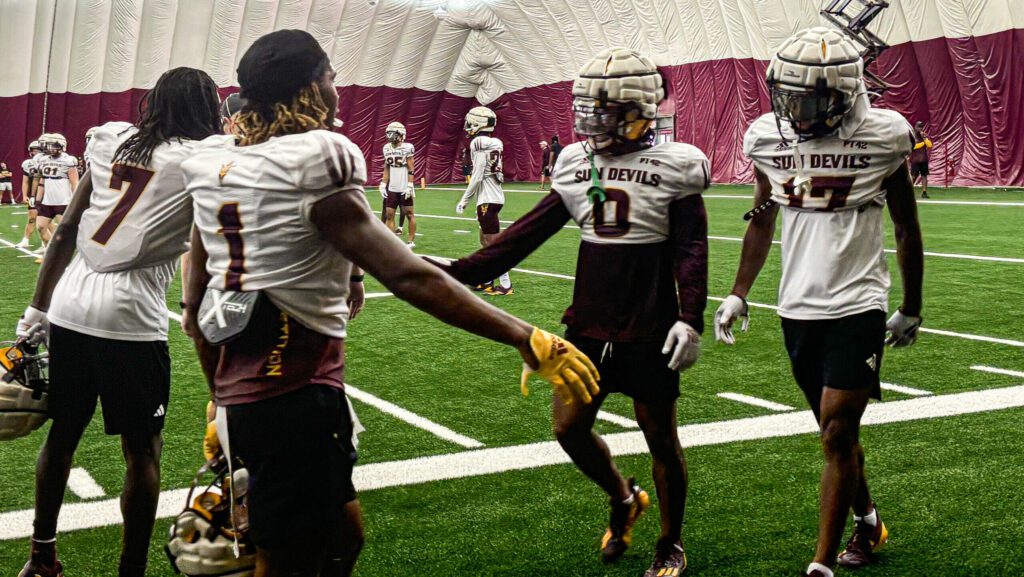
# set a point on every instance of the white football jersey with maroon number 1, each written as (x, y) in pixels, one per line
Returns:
(252, 210)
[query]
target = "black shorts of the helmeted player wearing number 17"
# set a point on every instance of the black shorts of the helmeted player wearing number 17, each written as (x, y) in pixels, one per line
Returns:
(843, 354)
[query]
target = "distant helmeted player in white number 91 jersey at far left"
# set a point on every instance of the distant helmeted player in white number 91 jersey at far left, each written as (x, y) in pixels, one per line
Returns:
(59, 172)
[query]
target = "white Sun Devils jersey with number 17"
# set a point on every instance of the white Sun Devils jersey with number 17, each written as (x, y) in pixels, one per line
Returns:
(833, 260)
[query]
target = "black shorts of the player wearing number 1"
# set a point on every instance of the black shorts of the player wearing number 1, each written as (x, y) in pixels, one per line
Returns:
(298, 450)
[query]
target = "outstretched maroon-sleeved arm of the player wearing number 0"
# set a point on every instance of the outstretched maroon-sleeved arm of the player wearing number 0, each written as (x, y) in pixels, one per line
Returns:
(514, 245)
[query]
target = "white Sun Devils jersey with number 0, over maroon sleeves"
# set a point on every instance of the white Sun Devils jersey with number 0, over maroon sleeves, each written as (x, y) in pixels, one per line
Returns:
(638, 189)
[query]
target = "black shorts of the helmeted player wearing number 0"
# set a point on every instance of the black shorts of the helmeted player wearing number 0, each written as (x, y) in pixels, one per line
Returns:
(638, 370)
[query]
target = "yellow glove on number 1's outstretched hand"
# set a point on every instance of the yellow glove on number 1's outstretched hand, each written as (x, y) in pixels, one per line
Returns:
(562, 364)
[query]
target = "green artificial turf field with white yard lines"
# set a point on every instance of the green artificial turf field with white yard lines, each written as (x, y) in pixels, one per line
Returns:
(946, 463)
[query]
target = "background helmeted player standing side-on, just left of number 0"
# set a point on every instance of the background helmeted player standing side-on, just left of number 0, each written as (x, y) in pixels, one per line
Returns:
(486, 184)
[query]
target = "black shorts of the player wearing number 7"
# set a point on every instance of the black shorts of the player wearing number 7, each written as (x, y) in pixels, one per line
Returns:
(133, 381)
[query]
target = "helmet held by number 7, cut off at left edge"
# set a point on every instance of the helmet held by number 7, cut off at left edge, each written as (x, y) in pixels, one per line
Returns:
(24, 385)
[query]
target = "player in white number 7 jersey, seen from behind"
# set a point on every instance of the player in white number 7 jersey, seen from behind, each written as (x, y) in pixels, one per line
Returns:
(105, 308)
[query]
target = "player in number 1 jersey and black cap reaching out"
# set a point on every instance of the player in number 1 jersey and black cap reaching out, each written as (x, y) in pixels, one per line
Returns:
(284, 262)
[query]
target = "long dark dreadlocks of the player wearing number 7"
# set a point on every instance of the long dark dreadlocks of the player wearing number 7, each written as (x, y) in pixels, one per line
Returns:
(184, 105)
